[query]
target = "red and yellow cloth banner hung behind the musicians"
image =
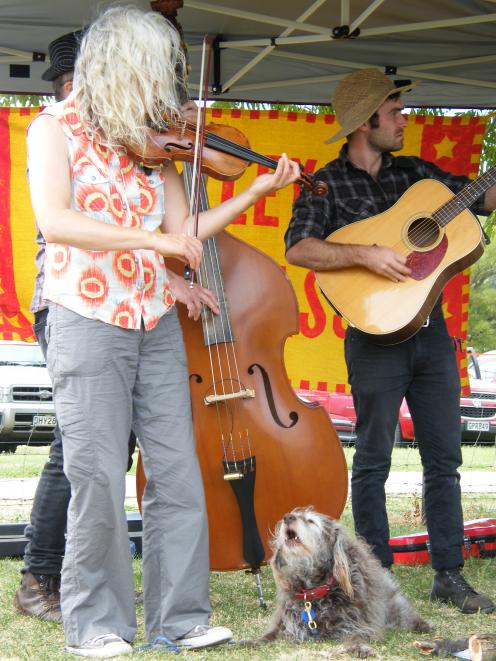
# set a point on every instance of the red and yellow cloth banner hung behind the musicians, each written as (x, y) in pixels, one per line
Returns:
(314, 358)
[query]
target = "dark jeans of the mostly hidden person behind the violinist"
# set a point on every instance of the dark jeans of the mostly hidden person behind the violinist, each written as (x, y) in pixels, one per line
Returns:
(45, 533)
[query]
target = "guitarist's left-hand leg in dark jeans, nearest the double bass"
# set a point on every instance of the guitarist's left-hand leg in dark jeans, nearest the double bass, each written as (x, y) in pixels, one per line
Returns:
(379, 377)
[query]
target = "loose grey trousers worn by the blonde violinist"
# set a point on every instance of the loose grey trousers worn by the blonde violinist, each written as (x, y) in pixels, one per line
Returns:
(107, 379)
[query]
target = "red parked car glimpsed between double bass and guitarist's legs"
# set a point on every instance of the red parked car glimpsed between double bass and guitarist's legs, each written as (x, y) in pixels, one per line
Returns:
(339, 406)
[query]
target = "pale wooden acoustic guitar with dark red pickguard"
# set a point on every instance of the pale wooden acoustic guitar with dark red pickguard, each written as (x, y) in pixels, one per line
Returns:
(430, 226)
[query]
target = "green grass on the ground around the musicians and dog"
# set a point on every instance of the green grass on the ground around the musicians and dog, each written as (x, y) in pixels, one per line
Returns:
(234, 597)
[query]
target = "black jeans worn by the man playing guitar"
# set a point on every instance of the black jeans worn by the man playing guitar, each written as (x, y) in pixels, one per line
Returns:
(423, 369)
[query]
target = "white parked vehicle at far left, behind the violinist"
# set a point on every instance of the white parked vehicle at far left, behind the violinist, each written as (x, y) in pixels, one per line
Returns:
(27, 413)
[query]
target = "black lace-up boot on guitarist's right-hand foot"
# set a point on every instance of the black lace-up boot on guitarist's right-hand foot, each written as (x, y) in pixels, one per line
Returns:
(450, 586)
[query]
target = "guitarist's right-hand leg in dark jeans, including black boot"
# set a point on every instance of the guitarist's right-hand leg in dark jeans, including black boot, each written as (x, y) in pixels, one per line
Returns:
(434, 402)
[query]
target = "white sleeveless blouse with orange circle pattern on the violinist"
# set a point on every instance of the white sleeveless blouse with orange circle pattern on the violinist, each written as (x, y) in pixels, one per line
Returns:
(120, 287)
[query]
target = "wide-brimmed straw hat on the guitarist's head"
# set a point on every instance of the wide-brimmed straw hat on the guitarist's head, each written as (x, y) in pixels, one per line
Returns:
(358, 96)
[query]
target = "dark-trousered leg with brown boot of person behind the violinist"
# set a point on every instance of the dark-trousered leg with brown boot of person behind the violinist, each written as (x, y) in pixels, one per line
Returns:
(39, 591)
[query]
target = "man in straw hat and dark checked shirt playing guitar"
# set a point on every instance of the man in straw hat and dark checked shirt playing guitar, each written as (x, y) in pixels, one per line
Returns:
(363, 181)
